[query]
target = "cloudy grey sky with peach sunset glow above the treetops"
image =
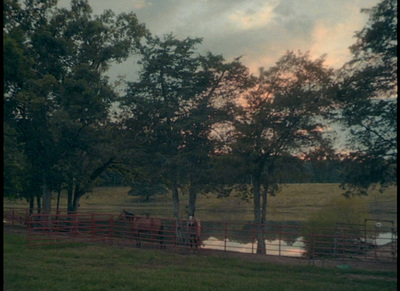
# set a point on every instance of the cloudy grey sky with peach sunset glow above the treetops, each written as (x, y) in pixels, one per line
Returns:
(259, 30)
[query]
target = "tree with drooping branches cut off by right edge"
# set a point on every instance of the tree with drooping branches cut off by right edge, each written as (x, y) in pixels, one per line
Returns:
(367, 95)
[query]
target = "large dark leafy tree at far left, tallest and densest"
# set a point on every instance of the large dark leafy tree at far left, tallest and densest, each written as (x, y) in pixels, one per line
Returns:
(57, 98)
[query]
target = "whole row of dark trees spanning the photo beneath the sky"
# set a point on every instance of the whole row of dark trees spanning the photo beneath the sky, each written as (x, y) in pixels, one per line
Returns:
(190, 120)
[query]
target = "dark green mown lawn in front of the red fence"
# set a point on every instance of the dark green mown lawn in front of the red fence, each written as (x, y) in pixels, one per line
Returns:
(94, 267)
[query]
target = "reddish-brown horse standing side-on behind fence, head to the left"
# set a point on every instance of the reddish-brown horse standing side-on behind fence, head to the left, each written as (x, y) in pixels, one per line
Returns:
(151, 225)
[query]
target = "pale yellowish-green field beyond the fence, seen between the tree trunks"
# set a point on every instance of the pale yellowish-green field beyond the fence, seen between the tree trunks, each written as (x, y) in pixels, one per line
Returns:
(294, 203)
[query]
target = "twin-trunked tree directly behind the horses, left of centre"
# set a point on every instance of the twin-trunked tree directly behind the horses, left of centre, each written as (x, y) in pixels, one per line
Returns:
(171, 111)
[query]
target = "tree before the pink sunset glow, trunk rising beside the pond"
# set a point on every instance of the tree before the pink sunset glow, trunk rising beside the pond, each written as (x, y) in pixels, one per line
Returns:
(279, 120)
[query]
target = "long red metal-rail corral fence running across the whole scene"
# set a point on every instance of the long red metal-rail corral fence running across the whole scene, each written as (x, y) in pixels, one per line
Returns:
(364, 242)
